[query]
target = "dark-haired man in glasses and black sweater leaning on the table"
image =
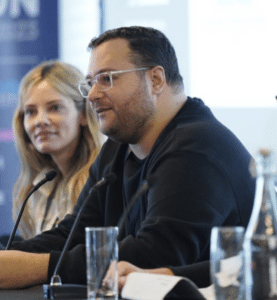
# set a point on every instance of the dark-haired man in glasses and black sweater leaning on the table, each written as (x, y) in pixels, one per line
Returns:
(200, 167)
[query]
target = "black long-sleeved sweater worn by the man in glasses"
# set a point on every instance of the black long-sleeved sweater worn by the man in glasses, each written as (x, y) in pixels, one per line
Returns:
(202, 180)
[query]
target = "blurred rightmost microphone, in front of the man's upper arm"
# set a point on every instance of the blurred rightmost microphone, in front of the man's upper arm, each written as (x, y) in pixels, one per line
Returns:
(146, 184)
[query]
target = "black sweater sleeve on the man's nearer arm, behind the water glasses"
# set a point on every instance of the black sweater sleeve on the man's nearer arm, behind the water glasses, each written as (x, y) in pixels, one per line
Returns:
(190, 196)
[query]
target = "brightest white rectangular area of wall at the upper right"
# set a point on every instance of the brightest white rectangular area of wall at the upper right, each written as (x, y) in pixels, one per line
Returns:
(232, 45)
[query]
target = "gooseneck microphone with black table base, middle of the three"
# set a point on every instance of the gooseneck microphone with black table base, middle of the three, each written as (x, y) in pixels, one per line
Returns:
(55, 290)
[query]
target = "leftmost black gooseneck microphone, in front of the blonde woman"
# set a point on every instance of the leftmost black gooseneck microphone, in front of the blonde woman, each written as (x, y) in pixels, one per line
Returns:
(50, 175)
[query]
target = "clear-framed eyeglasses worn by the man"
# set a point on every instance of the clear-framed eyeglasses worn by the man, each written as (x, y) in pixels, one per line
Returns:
(103, 80)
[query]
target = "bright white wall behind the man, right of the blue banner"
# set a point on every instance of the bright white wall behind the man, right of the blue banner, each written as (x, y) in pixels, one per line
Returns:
(205, 65)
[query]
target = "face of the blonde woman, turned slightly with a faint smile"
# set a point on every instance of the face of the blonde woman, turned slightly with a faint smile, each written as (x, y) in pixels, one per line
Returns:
(52, 121)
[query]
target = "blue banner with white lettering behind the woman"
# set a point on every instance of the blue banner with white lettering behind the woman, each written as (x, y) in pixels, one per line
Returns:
(28, 36)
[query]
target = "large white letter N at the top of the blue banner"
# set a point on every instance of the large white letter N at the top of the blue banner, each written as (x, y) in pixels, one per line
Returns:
(31, 8)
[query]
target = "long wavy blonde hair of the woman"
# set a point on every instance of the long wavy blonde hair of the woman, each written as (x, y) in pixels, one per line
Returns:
(64, 78)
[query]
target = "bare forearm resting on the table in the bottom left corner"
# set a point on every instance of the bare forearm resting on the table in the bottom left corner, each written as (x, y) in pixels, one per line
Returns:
(22, 269)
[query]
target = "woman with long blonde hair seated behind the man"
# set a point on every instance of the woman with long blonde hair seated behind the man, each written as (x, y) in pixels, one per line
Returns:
(54, 128)
